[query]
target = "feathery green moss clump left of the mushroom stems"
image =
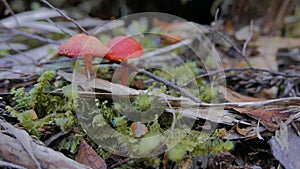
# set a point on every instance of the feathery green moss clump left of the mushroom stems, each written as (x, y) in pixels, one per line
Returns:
(38, 108)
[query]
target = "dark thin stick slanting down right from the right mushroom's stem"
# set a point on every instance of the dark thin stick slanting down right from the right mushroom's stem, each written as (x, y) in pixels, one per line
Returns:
(164, 81)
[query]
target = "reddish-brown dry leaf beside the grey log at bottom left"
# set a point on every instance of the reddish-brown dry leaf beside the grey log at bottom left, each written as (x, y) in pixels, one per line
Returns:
(88, 156)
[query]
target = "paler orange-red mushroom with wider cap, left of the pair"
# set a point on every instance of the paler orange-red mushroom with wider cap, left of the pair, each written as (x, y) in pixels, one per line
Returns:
(86, 46)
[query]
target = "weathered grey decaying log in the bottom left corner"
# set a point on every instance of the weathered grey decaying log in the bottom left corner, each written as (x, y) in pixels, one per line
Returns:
(12, 150)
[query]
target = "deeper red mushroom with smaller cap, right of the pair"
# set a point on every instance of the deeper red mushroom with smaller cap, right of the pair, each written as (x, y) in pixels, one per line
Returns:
(123, 48)
